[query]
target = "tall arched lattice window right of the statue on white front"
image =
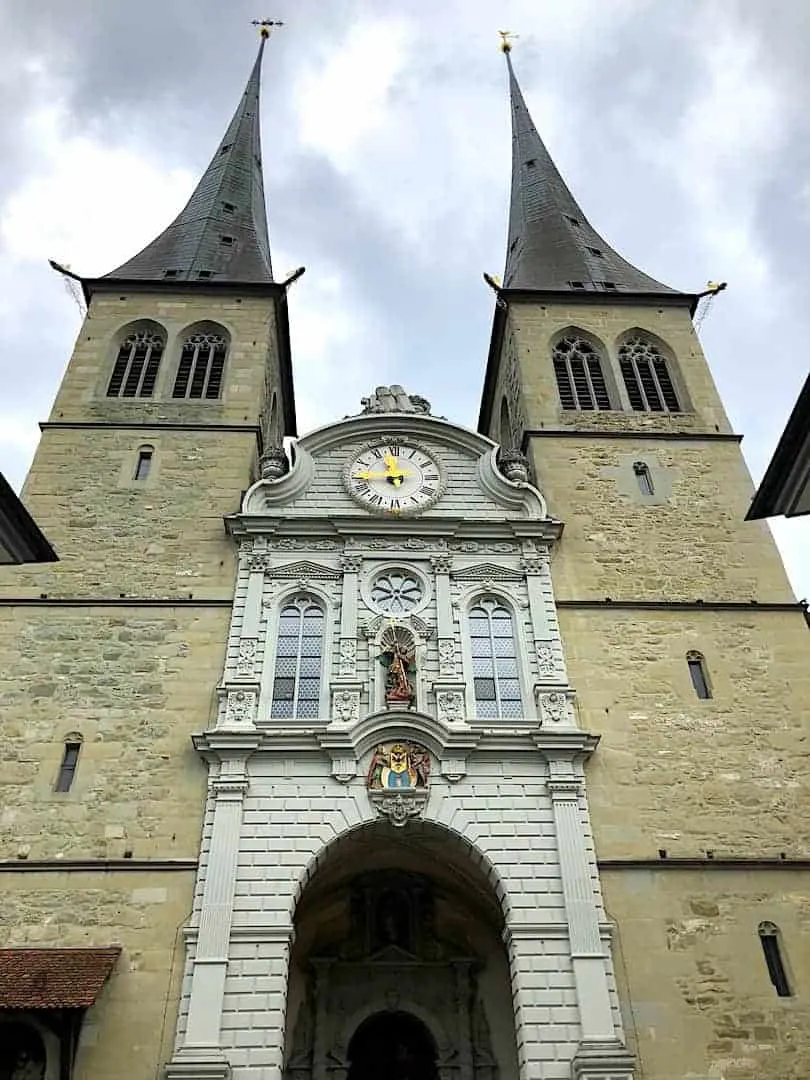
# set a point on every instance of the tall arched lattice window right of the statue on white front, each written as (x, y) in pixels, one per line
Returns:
(494, 649)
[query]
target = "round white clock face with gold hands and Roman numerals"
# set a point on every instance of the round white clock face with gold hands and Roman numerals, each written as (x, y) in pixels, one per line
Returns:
(395, 478)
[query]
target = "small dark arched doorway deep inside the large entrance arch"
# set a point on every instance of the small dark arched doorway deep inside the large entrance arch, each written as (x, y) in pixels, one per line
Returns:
(393, 1045)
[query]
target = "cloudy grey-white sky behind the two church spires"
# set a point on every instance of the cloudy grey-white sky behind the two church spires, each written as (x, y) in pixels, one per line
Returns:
(683, 129)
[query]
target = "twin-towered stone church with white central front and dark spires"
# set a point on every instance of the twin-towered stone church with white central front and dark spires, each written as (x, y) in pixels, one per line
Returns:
(399, 749)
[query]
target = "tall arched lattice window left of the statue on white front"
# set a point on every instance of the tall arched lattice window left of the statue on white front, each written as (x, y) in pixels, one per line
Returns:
(299, 660)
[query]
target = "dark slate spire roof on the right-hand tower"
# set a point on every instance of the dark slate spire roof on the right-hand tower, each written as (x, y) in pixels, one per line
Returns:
(551, 242)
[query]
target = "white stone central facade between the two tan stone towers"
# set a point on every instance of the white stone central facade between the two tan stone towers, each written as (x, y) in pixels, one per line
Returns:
(506, 802)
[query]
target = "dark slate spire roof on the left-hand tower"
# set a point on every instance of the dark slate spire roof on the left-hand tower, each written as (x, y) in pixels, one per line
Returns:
(222, 233)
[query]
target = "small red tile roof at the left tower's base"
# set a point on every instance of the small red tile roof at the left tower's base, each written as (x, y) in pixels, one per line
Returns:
(53, 978)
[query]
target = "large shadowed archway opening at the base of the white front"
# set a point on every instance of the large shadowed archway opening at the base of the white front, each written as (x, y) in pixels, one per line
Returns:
(399, 968)
